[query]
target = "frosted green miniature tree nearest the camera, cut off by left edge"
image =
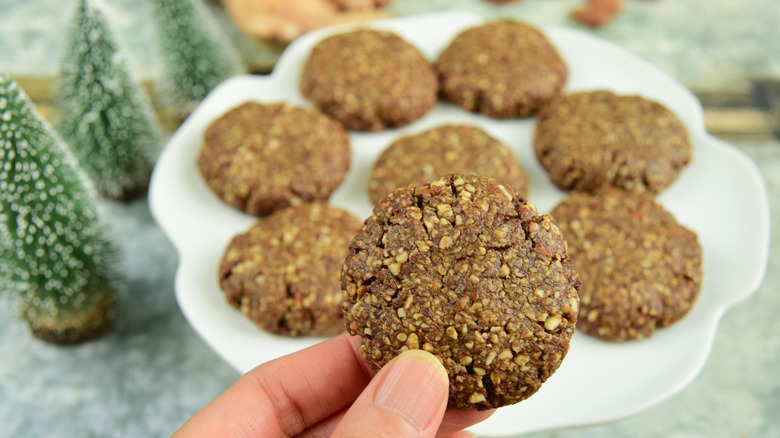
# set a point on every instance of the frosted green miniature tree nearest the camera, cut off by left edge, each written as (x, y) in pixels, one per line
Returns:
(53, 246)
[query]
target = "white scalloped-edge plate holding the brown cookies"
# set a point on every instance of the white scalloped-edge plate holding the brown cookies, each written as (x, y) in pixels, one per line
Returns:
(720, 195)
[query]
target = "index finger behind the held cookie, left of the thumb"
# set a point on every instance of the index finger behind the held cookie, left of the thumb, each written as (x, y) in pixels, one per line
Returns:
(285, 396)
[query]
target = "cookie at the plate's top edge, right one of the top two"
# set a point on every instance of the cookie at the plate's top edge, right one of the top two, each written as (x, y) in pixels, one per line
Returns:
(503, 69)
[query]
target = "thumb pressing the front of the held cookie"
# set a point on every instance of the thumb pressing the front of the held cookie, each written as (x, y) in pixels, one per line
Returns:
(406, 399)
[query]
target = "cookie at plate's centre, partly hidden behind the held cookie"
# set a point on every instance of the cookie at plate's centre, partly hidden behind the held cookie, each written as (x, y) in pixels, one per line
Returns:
(447, 149)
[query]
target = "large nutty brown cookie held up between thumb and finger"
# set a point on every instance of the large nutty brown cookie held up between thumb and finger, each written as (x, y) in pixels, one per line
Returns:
(466, 269)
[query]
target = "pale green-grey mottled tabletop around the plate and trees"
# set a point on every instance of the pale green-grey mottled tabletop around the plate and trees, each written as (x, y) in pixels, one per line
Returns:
(153, 372)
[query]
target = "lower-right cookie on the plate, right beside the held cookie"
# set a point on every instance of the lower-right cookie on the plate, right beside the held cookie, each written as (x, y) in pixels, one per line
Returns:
(640, 269)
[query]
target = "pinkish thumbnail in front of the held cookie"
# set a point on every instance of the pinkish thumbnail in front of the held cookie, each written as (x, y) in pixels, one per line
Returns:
(414, 388)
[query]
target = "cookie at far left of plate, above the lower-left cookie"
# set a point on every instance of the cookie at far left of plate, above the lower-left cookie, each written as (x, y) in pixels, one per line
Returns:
(262, 157)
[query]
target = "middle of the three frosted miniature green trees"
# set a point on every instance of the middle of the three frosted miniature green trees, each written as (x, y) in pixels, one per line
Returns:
(103, 114)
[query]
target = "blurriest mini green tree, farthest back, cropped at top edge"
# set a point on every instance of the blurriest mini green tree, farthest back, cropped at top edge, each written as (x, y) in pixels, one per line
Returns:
(196, 55)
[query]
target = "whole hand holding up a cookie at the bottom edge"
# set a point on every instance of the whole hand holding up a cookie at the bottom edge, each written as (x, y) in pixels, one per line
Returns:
(327, 390)
